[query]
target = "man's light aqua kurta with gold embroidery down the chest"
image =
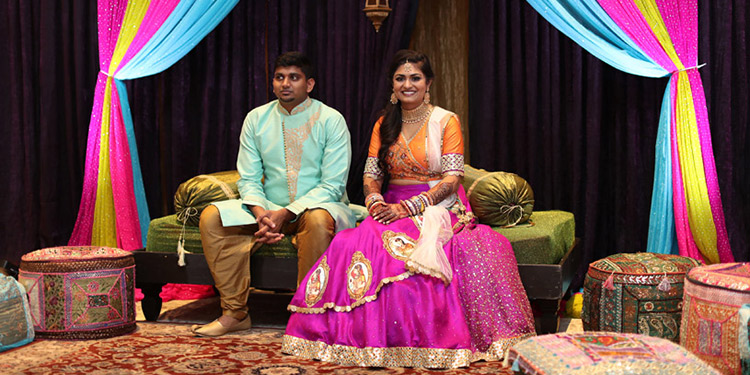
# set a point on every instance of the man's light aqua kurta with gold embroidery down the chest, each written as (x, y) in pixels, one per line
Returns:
(303, 158)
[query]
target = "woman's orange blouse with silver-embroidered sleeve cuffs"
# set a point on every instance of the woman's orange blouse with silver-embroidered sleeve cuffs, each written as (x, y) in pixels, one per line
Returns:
(407, 159)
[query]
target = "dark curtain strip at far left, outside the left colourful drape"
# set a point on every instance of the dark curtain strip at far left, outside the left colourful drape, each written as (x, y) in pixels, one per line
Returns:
(47, 78)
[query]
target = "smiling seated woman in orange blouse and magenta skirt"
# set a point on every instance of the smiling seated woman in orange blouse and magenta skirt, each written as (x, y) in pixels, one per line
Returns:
(417, 284)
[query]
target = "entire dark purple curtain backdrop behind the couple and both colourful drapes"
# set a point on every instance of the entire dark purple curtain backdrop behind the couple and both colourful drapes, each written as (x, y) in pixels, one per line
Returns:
(546, 109)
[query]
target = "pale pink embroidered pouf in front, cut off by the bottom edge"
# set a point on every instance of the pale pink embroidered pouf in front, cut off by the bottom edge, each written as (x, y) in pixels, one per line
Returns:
(611, 353)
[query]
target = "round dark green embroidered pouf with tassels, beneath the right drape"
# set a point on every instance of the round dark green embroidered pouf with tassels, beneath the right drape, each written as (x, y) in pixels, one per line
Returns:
(636, 293)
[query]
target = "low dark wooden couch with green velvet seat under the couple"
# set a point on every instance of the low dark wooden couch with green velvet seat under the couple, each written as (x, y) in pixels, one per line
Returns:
(545, 249)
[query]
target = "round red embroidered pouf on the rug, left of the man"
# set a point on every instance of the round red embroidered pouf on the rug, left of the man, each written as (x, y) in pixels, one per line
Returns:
(82, 292)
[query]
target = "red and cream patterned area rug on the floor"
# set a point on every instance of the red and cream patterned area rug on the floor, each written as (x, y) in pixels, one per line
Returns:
(161, 348)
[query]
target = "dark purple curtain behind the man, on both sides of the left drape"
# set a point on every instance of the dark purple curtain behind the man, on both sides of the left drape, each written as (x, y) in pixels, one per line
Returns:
(187, 119)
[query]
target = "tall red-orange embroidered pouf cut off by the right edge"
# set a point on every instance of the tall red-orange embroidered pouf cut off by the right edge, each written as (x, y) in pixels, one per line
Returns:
(714, 321)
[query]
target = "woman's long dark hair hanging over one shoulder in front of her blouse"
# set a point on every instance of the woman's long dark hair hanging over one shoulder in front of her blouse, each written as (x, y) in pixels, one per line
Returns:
(390, 128)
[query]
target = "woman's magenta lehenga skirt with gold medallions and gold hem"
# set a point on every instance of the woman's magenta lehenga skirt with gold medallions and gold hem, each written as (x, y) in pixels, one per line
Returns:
(360, 305)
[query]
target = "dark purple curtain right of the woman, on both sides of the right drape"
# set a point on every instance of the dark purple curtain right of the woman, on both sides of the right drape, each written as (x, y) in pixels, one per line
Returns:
(583, 133)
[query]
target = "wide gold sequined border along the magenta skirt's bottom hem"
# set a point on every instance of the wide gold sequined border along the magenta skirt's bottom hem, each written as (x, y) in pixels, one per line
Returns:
(395, 356)
